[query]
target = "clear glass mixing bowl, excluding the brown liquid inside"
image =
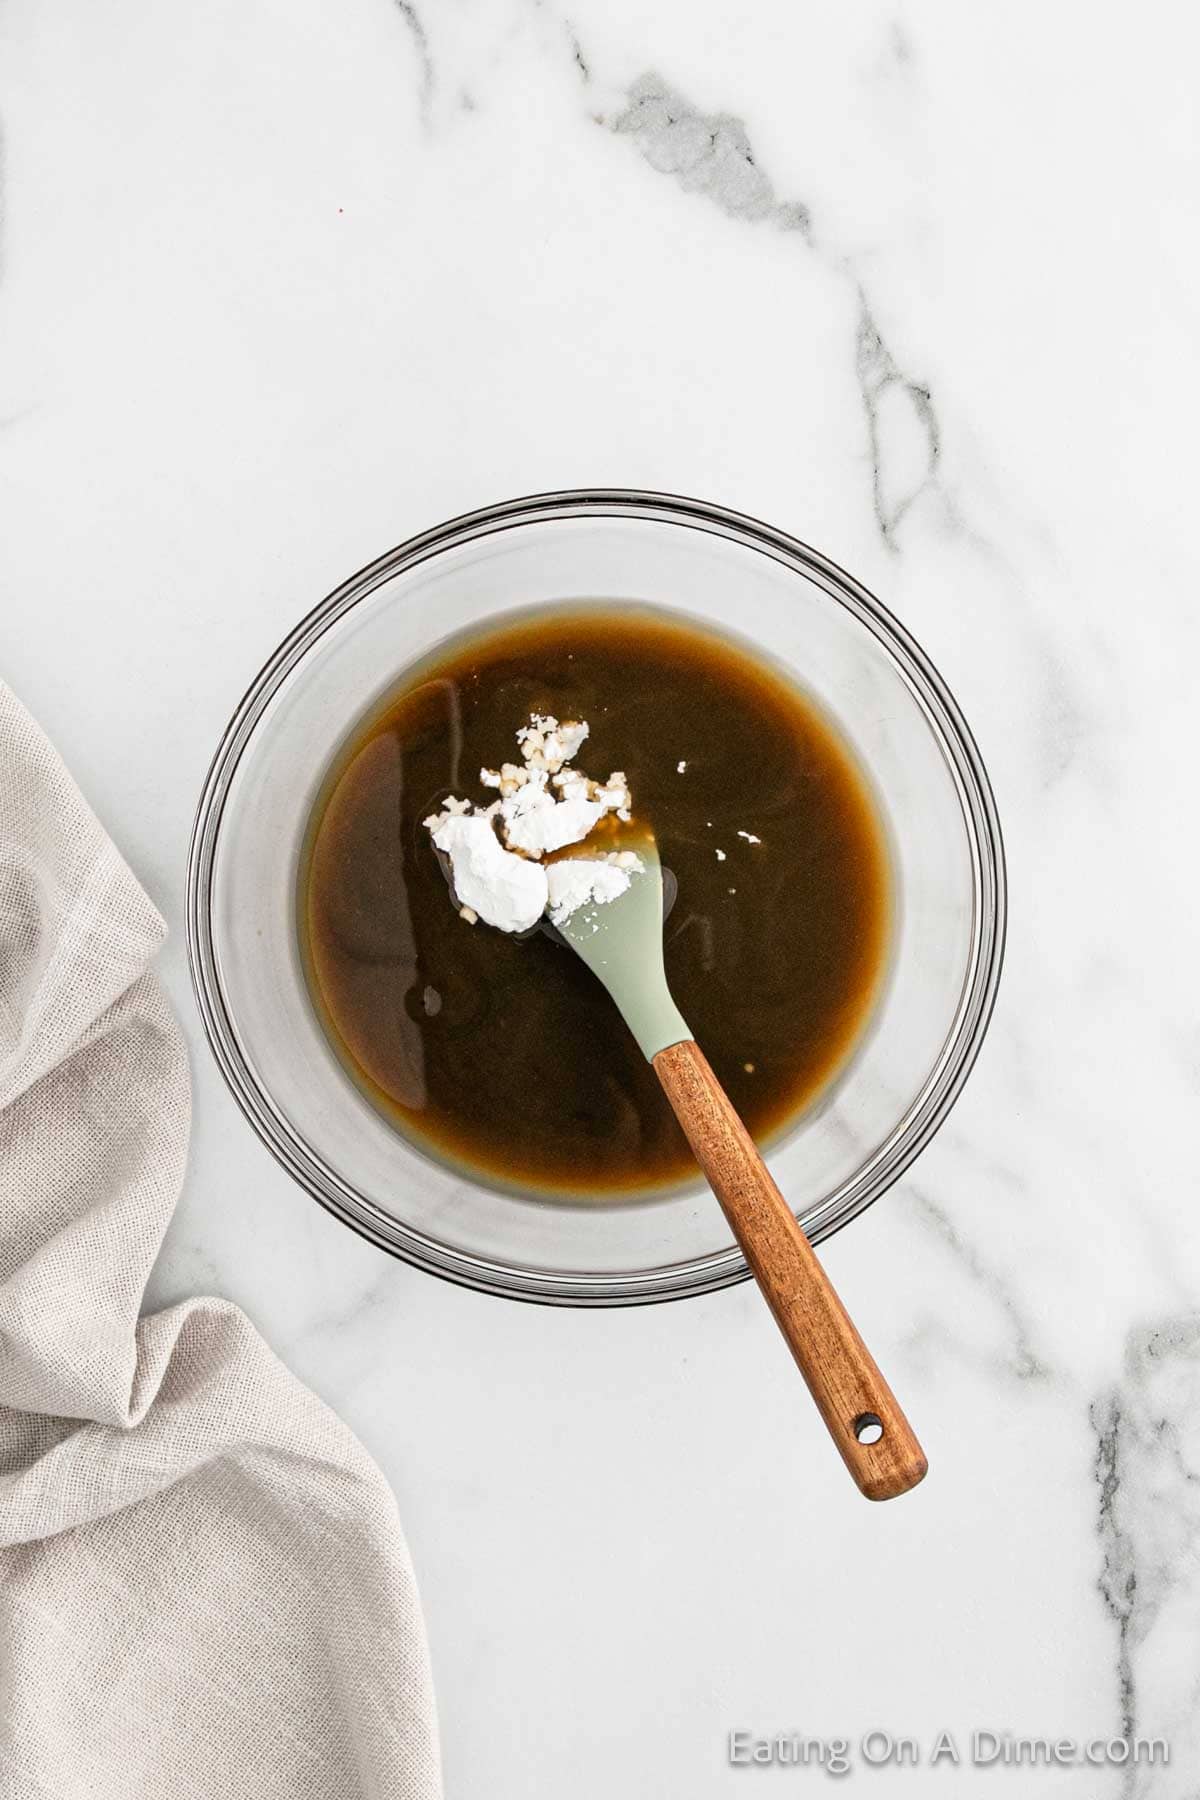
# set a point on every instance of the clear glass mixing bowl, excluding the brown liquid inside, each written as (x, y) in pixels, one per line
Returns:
(544, 552)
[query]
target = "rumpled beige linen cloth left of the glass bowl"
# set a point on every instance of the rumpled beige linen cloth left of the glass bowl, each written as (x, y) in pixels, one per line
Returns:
(204, 1587)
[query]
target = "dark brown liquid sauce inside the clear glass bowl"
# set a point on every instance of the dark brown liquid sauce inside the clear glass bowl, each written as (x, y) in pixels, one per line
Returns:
(506, 1056)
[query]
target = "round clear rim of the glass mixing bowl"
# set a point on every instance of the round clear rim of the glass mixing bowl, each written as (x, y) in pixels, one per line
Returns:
(922, 1119)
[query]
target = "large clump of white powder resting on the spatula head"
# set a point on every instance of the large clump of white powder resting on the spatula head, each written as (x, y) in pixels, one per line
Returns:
(496, 852)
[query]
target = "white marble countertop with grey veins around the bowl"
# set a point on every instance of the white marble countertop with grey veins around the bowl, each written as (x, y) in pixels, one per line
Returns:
(285, 283)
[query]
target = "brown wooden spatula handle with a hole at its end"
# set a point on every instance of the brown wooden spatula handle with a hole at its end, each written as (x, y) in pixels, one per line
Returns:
(841, 1372)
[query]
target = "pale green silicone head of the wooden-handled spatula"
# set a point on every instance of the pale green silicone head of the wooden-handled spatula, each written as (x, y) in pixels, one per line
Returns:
(622, 942)
